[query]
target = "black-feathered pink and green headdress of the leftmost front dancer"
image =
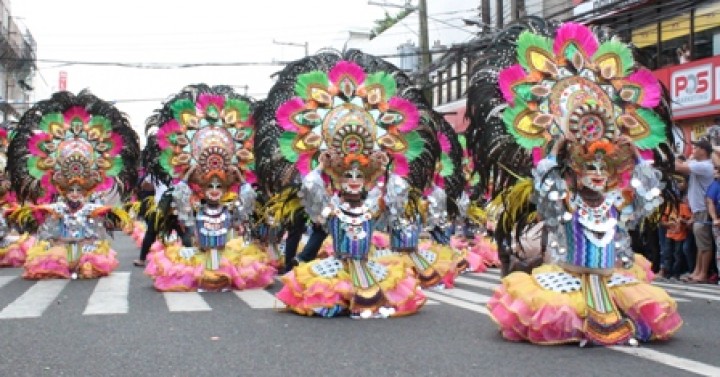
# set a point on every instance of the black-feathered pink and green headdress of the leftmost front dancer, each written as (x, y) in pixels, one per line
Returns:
(69, 141)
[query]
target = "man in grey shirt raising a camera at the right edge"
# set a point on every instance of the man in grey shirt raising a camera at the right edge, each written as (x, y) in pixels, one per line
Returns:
(700, 171)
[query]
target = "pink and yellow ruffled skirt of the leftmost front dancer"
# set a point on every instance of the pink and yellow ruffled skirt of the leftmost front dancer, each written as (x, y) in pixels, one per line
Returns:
(58, 261)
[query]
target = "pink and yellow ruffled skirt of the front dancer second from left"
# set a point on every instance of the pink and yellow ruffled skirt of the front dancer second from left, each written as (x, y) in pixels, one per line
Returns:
(237, 266)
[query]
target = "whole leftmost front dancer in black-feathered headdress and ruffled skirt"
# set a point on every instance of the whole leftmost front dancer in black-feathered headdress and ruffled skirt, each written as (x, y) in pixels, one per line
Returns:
(67, 152)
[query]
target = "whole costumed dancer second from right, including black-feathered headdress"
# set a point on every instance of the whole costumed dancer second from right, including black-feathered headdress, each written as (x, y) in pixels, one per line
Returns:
(356, 139)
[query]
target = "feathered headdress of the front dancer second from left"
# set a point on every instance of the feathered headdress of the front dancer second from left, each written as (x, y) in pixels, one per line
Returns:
(204, 133)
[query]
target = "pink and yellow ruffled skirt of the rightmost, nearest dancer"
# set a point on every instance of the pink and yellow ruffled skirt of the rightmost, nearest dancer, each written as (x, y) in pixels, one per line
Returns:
(553, 306)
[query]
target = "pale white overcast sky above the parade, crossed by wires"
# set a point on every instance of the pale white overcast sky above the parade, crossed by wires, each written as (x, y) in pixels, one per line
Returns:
(172, 32)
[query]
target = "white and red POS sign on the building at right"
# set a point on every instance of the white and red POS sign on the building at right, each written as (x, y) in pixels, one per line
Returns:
(692, 86)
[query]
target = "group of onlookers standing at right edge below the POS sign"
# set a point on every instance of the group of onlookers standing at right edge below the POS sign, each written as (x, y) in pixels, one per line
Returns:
(689, 232)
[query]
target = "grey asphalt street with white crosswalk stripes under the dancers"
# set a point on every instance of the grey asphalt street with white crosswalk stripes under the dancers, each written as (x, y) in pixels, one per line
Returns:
(120, 326)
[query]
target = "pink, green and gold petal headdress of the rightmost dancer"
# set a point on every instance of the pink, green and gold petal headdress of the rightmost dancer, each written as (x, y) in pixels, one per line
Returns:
(592, 92)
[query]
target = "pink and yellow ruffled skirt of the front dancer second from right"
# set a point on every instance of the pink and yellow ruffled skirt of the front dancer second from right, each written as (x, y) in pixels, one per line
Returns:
(330, 287)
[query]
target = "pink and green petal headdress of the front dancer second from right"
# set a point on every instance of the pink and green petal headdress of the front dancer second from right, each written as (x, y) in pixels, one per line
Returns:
(352, 112)
